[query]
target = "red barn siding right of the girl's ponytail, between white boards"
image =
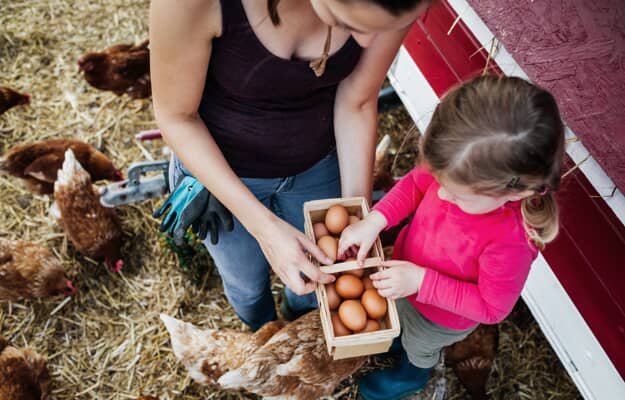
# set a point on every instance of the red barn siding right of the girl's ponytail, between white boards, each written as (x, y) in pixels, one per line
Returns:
(588, 257)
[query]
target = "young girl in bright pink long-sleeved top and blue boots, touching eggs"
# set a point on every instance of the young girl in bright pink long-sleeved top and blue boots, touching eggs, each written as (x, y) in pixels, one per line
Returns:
(482, 206)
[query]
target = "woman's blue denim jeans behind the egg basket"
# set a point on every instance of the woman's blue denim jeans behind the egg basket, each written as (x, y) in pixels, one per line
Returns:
(243, 268)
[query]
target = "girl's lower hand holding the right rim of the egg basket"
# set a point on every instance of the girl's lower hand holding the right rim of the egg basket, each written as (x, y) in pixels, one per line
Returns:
(401, 279)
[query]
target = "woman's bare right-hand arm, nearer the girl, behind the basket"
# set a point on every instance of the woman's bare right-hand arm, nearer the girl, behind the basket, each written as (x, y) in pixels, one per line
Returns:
(355, 114)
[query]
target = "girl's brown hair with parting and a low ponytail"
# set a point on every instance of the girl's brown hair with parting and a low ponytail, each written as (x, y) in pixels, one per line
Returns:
(501, 135)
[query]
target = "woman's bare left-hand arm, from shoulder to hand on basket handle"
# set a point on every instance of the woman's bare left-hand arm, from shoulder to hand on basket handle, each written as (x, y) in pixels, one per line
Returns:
(181, 35)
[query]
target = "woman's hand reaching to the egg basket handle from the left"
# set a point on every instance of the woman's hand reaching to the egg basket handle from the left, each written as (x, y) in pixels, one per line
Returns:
(284, 247)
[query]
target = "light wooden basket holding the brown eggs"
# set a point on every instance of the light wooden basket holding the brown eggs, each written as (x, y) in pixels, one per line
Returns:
(356, 344)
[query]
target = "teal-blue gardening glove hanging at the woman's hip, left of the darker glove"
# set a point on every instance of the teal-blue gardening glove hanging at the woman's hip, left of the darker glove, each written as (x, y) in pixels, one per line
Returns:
(187, 189)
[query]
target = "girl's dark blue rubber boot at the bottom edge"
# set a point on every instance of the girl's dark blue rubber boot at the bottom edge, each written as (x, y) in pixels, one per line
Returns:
(394, 383)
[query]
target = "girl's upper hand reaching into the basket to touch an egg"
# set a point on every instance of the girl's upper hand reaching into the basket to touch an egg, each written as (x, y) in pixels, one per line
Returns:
(358, 238)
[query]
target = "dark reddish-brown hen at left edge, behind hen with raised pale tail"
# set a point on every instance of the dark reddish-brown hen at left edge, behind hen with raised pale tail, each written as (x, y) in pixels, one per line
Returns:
(38, 163)
